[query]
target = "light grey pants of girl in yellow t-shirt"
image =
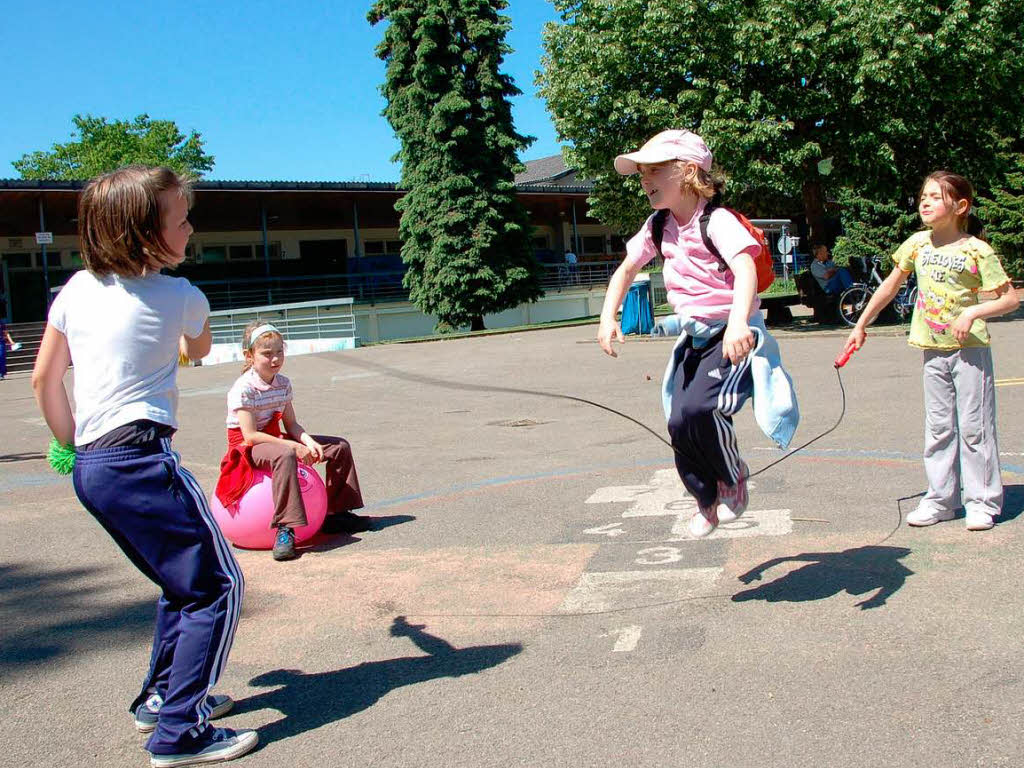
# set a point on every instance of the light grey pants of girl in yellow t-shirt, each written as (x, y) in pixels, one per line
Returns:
(960, 432)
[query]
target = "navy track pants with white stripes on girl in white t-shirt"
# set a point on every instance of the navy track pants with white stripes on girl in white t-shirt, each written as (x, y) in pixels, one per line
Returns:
(157, 514)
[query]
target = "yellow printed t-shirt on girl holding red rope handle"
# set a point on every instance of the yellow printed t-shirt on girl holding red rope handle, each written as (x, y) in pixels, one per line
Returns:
(949, 280)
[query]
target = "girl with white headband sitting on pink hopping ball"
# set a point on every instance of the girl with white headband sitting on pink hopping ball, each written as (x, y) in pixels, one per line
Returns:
(260, 402)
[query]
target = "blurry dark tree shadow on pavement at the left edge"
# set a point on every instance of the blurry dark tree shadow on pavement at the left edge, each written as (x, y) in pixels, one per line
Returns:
(51, 614)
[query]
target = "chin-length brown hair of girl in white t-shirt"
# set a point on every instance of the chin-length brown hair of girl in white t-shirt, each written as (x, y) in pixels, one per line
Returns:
(119, 220)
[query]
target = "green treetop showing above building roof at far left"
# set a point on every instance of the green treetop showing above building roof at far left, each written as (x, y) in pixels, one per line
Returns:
(99, 147)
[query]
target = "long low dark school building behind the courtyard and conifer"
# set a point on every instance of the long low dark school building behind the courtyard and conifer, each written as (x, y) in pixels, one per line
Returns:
(273, 242)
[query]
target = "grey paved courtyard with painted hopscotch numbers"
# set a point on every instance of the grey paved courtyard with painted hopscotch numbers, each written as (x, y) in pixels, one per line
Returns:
(531, 596)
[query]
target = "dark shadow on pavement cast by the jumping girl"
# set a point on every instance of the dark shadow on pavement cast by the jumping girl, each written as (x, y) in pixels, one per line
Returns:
(859, 572)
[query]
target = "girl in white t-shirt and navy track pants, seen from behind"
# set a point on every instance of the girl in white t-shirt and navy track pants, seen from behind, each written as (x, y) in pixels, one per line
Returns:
(123, 324)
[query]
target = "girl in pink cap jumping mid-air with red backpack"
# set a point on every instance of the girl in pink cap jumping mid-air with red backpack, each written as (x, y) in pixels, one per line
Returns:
(724, 354)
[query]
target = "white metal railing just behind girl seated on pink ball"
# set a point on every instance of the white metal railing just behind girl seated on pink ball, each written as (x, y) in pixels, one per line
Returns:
(306, 320)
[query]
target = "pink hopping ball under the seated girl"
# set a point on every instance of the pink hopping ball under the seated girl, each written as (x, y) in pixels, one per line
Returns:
(248, 525)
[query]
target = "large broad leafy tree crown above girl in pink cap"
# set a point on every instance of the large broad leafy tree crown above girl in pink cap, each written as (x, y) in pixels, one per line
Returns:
(883, 92)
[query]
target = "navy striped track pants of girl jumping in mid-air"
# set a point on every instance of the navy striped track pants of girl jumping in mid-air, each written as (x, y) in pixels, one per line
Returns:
(707, 391)
